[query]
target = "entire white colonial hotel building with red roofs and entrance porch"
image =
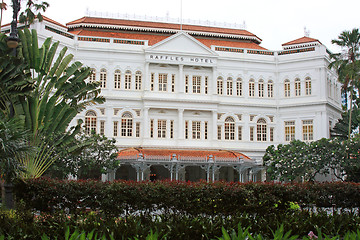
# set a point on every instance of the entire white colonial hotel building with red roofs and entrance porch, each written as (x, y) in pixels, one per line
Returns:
(202, 102)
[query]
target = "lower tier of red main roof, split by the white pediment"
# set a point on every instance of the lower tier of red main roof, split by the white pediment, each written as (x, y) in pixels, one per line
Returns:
(155, 38)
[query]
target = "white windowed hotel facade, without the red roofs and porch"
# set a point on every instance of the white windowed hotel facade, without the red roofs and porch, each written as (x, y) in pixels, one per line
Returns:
(267, 97)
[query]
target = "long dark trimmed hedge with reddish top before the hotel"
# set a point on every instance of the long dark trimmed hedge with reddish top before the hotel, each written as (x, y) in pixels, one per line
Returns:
(189, 198)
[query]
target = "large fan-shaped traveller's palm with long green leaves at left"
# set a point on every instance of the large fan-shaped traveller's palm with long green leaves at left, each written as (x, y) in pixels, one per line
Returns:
(60, 91)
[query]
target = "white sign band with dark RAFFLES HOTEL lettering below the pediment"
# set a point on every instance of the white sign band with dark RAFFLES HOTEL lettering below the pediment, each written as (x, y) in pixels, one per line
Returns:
(179, 59)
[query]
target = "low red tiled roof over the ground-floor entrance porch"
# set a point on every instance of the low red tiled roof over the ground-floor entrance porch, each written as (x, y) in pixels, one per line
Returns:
(183, 153)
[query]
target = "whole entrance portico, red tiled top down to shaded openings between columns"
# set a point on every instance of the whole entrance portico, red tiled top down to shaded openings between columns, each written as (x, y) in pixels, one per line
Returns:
(188, 165)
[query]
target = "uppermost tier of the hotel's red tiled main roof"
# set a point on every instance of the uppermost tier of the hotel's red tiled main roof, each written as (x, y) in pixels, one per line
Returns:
(159, 25)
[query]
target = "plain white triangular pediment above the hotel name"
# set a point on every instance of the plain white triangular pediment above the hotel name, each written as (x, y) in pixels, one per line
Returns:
(181, 43)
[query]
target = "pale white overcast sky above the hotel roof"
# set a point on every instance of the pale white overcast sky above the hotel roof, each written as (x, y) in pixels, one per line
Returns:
(274, 21)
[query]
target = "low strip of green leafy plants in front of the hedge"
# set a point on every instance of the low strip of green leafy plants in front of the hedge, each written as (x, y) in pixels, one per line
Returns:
(22, 224)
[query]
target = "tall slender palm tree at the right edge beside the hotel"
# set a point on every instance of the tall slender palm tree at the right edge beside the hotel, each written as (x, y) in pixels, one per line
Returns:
(347, 65)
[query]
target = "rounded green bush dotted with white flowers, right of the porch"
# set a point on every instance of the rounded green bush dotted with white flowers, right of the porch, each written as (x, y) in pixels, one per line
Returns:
(301, 161)
